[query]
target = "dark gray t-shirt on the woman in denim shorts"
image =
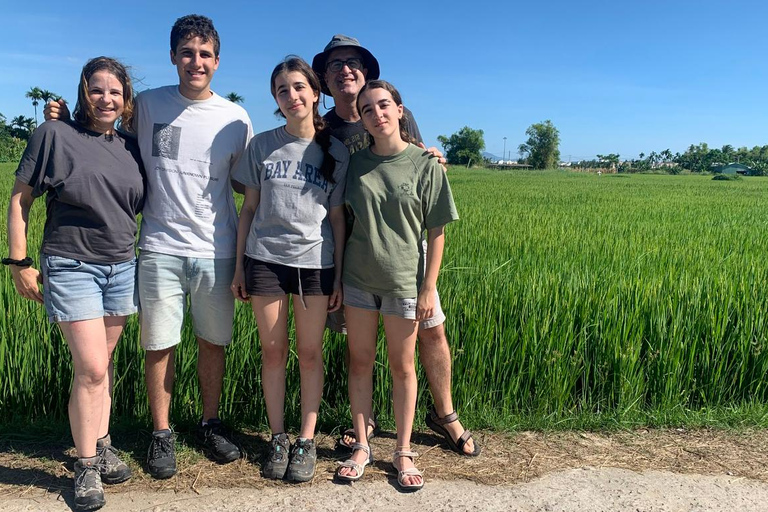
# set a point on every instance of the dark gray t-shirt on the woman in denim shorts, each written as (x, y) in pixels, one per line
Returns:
(95, 189)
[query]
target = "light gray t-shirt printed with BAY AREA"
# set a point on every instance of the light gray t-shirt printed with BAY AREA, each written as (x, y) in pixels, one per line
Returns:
(291, 225)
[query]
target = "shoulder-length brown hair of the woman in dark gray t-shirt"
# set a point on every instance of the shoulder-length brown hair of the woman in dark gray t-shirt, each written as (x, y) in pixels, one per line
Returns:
(84, 110)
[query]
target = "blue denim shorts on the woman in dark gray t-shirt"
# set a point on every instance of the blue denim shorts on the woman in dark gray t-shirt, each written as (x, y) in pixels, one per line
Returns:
(77, 290)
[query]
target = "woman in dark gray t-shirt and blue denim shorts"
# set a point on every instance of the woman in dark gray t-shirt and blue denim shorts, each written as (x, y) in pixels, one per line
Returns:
(94, 185)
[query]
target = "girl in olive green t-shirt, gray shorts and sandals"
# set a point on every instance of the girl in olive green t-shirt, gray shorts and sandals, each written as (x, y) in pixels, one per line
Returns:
(394, 193)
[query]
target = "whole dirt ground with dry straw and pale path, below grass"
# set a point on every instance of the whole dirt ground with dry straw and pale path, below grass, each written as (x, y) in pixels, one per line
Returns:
(633, 471)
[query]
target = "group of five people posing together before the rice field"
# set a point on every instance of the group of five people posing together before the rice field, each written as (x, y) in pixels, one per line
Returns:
(343, 216)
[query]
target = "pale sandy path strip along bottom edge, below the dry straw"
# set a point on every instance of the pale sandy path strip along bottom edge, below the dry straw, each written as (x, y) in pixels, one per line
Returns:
(576, 490)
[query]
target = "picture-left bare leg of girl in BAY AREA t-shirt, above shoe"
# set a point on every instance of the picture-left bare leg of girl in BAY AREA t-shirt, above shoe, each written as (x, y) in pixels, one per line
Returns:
(272, 320)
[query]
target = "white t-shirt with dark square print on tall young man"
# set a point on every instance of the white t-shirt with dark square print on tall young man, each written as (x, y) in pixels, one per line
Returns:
(189, 149)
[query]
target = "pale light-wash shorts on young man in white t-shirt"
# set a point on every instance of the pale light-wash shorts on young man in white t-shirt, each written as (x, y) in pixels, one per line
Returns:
(165, 283)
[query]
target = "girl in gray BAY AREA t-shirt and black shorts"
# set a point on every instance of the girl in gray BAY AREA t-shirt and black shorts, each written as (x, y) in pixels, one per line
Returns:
(290, 241)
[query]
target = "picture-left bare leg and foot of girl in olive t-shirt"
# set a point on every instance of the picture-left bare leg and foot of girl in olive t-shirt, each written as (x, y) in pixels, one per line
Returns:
(362, 325)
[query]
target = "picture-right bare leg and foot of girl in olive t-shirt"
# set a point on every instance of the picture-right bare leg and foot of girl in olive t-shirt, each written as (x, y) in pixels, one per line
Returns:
(401, 349)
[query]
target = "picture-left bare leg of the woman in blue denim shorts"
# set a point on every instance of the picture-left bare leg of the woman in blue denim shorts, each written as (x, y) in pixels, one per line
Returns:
(87, 340)
